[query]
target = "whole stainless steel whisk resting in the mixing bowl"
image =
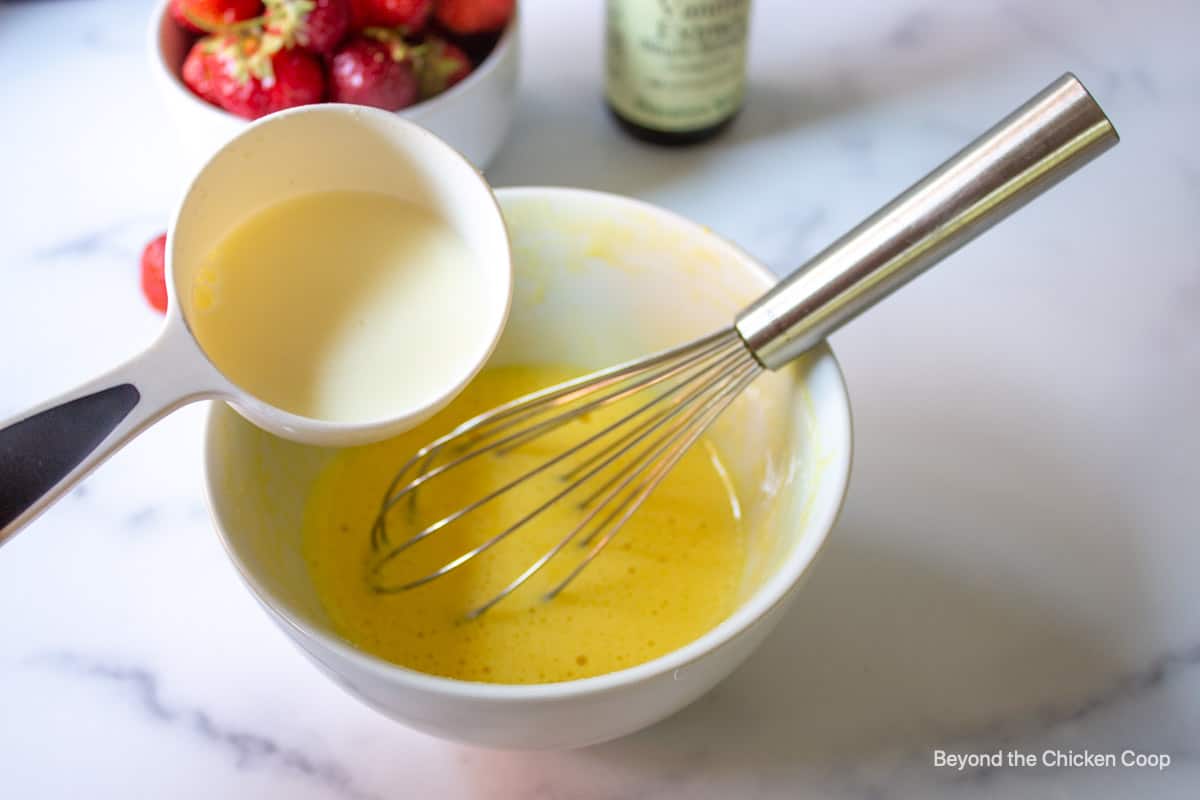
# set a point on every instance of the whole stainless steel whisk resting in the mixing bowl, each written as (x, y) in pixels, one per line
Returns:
(673, 398)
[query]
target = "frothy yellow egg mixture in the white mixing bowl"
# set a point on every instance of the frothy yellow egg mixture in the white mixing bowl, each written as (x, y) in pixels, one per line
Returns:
(669, 576)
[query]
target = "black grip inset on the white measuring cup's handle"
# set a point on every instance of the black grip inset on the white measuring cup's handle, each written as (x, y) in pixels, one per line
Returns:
(41, 450)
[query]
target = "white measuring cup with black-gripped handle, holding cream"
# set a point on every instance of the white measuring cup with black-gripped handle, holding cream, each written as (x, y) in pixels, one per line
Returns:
(49, 449)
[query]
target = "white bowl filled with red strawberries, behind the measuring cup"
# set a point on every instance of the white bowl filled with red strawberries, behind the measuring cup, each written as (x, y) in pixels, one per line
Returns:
(447, 65)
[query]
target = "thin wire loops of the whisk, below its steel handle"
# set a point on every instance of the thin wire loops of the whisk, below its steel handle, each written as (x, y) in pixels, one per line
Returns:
(691, 382)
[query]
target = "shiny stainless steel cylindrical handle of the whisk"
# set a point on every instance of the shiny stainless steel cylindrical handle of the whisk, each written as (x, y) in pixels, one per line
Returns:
(1041, 143)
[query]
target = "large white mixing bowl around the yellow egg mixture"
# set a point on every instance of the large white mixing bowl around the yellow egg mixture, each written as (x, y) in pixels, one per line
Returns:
(599, 280)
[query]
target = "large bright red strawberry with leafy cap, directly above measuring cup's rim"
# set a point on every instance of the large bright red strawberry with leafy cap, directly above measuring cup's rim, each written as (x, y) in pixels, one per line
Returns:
(242, 76)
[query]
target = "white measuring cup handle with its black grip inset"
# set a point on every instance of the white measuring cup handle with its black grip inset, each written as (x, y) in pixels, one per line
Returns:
(49, 449)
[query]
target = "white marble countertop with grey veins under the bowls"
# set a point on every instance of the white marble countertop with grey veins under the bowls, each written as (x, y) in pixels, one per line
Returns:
(1017, 564)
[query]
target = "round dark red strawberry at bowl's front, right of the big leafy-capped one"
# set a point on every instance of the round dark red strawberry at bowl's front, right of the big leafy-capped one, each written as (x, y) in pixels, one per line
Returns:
(375, 70)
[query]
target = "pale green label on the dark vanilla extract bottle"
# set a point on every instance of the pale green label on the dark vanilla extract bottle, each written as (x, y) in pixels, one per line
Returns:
(676, 65)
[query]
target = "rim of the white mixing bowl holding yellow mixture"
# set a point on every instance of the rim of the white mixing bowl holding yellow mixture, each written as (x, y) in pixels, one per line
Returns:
(772, 594)
